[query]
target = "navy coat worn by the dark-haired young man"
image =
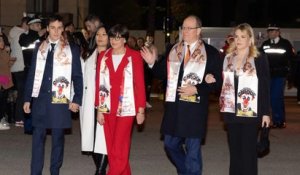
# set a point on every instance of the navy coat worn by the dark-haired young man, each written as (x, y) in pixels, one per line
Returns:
(44, 113)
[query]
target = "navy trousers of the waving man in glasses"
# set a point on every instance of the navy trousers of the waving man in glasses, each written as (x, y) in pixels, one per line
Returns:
(185, 154)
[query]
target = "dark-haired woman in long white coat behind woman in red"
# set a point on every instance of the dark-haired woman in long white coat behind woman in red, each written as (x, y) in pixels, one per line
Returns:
(92, 134)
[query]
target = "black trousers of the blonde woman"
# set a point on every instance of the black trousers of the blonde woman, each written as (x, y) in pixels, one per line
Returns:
(242, 139)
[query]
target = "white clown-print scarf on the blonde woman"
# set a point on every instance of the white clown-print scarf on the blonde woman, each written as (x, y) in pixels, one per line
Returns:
(247, 91)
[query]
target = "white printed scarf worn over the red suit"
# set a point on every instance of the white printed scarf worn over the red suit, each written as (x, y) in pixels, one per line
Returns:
(126, 106)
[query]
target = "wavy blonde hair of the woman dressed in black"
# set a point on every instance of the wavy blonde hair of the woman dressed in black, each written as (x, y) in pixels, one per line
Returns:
(253, 51)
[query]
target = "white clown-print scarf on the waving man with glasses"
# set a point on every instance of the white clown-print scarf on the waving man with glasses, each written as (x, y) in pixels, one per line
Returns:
(193, 70)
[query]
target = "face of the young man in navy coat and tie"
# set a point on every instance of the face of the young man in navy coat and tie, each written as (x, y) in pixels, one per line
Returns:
(55, 30)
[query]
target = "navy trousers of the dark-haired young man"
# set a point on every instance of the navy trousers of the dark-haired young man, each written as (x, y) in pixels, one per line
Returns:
(38, 150)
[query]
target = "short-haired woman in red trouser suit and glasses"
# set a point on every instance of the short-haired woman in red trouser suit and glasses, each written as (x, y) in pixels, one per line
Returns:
(120, 96)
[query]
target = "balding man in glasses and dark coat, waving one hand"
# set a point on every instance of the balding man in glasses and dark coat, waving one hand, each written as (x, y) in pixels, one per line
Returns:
(186, 107)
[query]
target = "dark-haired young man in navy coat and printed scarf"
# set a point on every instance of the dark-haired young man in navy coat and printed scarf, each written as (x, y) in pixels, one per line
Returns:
(52, 58)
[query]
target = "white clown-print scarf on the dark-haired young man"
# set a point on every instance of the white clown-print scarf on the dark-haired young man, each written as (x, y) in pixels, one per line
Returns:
(61, 77)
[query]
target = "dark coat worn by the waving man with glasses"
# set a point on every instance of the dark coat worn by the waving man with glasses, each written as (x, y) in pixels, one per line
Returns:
(186, 119)
